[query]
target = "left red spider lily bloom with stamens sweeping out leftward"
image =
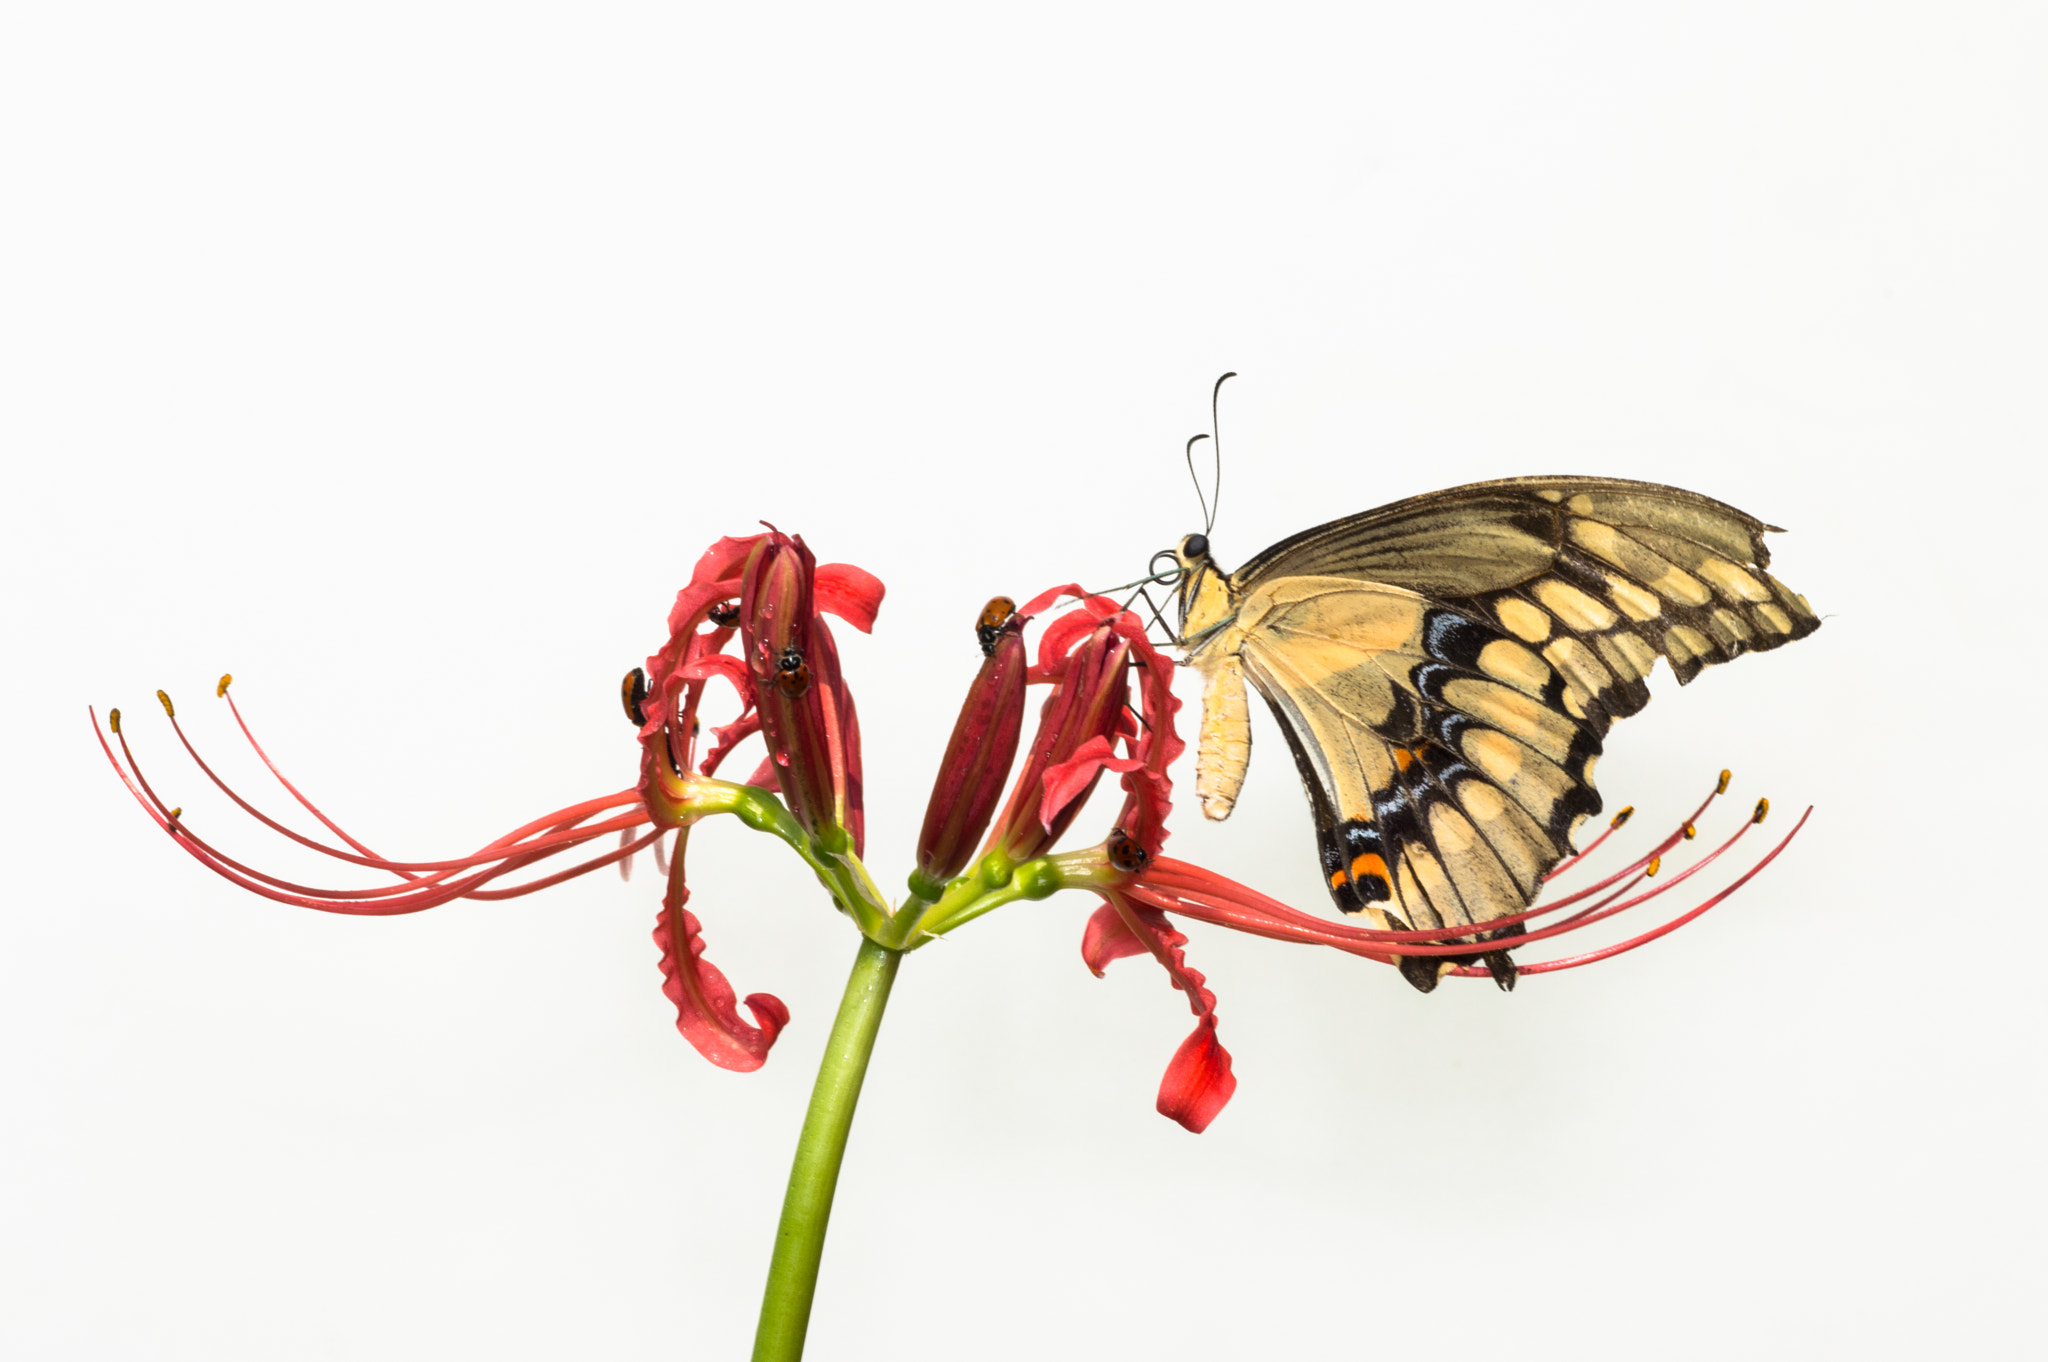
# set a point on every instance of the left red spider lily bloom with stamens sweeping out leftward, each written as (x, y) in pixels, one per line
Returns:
(677, 788)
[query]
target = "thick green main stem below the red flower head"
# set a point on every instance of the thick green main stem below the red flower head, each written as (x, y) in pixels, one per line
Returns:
(800, 1240)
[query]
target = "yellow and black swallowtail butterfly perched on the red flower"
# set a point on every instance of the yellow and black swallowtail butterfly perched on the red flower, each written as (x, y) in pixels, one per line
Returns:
(1445, 671)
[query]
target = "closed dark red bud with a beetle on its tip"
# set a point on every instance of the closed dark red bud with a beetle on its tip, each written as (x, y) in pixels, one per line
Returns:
(978, 755)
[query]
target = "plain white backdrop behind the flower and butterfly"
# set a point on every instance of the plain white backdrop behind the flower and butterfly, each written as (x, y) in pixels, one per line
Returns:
(402, 359)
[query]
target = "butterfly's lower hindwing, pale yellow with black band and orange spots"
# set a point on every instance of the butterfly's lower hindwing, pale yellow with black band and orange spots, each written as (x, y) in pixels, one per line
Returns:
(1443, 773)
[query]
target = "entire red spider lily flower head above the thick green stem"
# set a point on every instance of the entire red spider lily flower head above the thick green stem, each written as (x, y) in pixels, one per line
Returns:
(755, 620)
